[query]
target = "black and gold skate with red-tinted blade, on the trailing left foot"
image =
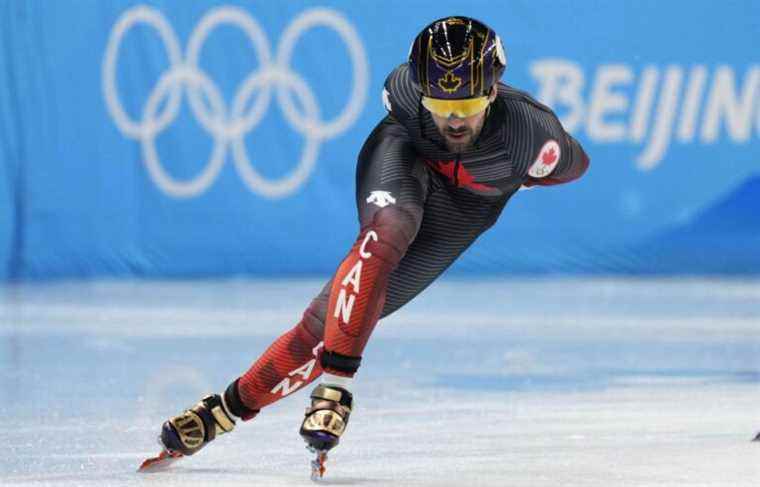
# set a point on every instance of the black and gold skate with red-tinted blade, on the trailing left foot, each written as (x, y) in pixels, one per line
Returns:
(190, 431)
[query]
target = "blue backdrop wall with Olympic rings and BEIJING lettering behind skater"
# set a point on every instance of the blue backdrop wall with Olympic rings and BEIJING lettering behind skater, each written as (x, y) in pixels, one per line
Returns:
(202, 138)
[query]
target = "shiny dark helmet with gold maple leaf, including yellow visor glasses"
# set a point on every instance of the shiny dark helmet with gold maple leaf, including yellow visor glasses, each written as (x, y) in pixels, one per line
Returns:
(455, 61)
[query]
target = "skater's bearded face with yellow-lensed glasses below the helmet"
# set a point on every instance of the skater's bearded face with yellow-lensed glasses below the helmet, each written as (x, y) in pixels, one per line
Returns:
(461, 129)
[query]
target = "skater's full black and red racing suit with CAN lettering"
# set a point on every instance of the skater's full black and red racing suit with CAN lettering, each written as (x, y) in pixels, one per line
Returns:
(420, 206)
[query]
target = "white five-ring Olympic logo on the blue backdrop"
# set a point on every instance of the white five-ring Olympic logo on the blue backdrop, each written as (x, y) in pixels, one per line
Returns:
(228, 127)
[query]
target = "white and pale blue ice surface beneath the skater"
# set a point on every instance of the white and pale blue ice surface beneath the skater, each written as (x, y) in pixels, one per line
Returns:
(560, 382)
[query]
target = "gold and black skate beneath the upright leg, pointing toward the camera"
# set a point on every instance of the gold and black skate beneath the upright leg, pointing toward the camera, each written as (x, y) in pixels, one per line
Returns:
(325, 422)
